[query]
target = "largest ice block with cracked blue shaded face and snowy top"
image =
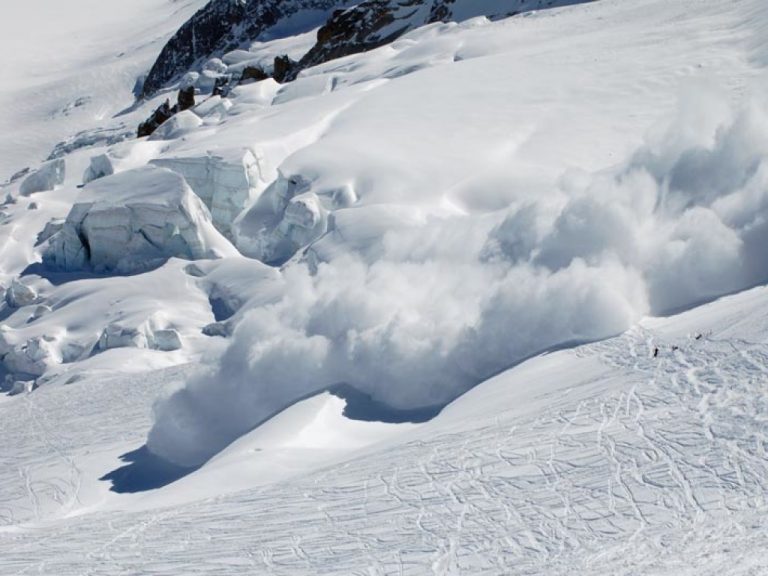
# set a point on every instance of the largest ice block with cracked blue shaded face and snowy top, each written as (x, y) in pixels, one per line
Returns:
(133, 222)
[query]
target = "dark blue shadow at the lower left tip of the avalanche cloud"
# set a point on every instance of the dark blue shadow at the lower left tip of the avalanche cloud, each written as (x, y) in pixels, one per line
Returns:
(144, 471)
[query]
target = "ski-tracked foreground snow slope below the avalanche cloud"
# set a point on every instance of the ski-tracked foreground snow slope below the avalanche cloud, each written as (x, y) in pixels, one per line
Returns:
(597, 460)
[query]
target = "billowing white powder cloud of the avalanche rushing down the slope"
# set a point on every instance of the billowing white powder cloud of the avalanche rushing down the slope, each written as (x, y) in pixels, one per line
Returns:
(425, 312)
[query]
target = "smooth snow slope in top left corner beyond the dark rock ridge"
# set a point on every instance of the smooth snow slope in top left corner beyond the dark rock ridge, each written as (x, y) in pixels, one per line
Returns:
(66, 72)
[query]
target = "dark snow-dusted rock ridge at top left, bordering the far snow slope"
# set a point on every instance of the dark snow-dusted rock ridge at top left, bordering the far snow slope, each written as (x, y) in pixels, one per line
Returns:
(224, 25)
